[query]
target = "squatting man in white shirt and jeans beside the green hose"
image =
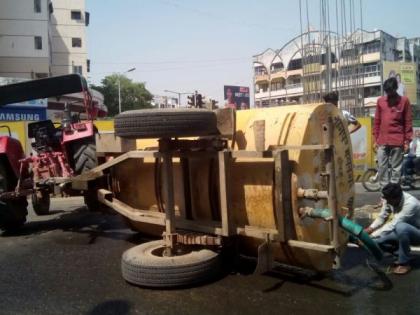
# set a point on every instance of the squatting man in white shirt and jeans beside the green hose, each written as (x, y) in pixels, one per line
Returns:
(398, 225)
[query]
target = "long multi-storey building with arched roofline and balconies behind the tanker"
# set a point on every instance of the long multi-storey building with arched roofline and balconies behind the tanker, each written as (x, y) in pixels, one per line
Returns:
(279, 75)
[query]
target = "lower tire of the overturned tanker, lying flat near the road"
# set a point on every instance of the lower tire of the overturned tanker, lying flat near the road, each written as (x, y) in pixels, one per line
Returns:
(140, 266)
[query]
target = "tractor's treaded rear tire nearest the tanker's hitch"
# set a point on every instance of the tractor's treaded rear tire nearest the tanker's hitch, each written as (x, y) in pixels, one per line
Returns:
(84, 155)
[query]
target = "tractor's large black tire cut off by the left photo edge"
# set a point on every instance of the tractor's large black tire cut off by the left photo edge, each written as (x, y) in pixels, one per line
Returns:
(12, 212)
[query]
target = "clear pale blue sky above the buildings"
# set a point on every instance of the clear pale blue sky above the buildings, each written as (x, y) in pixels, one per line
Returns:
(188, 45)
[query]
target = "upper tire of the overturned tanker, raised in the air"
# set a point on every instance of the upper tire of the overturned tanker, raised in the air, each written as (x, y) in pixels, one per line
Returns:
(165, 123)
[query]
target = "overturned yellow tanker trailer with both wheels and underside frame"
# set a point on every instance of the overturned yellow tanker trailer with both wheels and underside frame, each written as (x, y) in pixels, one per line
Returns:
(243, 180)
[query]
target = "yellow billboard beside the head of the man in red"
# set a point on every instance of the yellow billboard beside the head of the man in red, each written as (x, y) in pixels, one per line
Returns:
(405, 73)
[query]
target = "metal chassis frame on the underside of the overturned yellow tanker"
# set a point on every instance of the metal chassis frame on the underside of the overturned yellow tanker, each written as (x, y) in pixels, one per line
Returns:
(215, 232)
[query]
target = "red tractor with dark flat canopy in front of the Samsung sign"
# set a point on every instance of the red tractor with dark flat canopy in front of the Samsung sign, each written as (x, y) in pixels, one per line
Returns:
(61, 151)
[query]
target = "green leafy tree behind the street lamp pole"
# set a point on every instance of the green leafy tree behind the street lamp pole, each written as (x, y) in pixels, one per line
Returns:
(134, 95)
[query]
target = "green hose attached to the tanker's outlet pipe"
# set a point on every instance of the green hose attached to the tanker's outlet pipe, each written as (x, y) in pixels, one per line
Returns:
(355, 230)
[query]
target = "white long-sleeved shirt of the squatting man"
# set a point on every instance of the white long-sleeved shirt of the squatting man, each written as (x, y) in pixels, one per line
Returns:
(407, 211)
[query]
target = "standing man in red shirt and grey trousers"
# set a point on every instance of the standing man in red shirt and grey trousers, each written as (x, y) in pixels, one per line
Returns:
(393, 131)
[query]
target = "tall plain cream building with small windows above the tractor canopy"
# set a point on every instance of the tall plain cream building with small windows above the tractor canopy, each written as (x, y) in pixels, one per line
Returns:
(41, 38)
